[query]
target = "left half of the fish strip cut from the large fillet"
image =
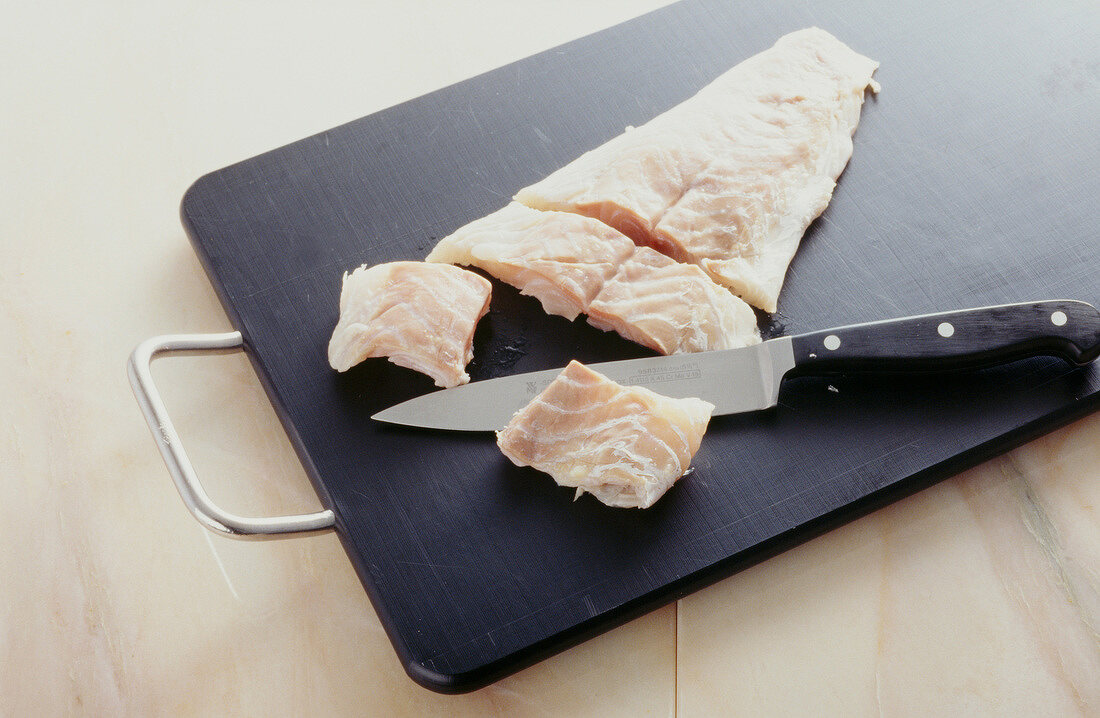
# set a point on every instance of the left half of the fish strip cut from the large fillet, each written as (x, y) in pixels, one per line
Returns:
(560, 259)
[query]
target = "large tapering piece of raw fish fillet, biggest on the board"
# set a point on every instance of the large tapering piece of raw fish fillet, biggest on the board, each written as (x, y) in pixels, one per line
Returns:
(731, 179)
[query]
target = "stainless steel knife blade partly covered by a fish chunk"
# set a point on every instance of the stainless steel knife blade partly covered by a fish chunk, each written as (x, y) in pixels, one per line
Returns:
(733, 380)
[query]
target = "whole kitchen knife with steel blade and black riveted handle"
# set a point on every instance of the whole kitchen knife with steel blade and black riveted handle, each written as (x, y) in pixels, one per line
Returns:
(749, 379)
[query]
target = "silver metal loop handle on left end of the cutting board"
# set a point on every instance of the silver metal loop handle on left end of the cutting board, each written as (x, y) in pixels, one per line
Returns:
(175, 458)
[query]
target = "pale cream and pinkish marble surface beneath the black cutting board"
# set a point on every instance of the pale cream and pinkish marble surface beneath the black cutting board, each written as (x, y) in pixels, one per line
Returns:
(978, 597)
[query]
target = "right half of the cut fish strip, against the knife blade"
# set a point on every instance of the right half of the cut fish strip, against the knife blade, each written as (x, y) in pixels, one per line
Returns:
(672, 307)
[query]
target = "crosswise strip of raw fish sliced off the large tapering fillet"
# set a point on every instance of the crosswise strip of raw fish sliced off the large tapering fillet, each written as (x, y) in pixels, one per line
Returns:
(575, 264)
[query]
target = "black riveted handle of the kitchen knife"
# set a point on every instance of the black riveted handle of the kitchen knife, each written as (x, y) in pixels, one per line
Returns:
(954, 340)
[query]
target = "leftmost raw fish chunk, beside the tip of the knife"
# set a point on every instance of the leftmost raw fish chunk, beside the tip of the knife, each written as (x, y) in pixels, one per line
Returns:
(421, 316)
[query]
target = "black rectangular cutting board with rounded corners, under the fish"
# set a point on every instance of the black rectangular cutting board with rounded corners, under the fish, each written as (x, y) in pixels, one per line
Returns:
(975, 182)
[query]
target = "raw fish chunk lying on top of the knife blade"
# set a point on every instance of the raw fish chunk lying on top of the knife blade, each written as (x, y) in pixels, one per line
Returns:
(625, 446)
